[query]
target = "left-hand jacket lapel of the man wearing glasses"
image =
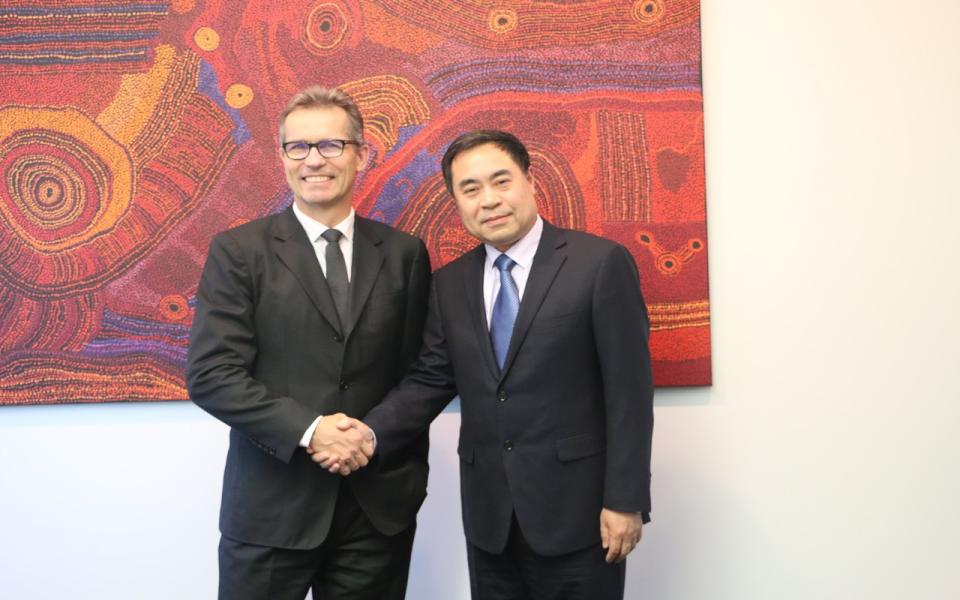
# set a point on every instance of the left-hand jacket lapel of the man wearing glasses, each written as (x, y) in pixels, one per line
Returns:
(292, 247)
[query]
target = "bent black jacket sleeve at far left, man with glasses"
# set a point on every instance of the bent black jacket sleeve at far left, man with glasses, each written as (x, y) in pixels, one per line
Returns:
(223, 352)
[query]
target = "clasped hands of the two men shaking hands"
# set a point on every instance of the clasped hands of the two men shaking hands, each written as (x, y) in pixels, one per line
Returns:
(341, 444)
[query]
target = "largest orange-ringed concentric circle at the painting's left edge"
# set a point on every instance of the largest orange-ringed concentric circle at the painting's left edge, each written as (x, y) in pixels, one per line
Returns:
(65, 181)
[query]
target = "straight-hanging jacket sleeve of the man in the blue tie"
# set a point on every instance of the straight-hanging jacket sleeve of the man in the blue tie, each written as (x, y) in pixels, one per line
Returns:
(621, 333)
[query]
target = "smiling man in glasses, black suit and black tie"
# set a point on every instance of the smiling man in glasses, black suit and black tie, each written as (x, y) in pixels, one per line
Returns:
(305, 314)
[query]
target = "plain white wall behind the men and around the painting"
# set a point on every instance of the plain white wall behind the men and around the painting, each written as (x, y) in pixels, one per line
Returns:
(820, 465)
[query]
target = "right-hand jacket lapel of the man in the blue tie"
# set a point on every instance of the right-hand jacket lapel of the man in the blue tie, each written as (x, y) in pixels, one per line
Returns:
(546, 264)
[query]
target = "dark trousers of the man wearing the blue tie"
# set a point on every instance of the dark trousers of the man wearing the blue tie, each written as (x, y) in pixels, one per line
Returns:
(519, 573)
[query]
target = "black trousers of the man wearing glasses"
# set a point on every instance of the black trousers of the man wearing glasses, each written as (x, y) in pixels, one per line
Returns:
(355, 562)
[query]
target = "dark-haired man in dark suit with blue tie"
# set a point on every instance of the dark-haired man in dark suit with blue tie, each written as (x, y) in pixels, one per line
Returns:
(543, 334)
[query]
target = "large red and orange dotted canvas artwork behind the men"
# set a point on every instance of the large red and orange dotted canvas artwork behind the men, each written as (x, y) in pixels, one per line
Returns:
(132, 132)
